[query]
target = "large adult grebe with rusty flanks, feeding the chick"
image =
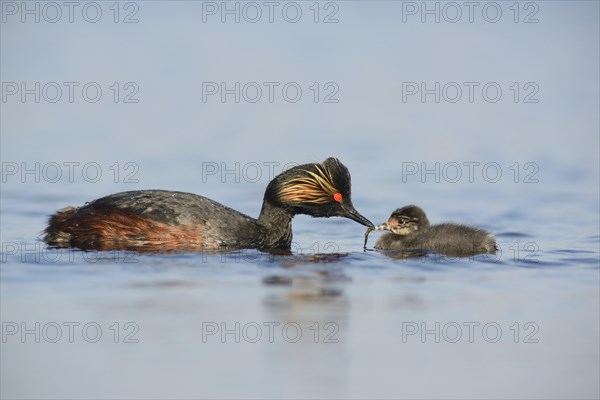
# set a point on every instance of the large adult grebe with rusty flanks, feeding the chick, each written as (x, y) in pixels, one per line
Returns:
(160, 220)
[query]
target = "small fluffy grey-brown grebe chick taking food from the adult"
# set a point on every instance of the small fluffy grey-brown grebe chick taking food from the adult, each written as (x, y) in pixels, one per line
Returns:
(410, 230)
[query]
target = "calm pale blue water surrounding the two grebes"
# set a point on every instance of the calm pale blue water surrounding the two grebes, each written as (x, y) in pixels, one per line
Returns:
(329, 320)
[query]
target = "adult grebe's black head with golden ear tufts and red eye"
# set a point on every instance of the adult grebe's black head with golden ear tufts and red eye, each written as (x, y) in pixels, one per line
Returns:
(317, 189)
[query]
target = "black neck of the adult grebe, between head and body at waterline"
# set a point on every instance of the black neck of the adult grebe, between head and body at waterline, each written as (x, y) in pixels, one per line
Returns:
(278, 225)
